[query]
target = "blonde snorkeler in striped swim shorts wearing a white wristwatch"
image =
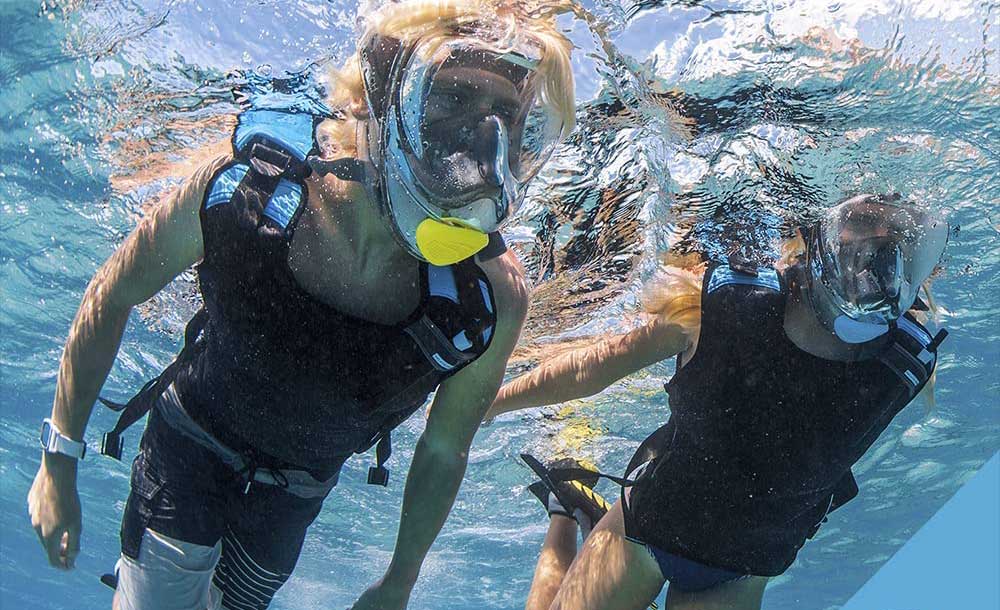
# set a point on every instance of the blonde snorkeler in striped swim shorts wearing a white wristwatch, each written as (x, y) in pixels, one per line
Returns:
(338, 293)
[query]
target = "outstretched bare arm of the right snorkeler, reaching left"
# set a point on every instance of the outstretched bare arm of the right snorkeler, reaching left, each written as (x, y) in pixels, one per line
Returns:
(588, 370)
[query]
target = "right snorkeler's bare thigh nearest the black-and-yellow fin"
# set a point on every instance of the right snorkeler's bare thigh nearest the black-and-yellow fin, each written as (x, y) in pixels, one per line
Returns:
(611, 572)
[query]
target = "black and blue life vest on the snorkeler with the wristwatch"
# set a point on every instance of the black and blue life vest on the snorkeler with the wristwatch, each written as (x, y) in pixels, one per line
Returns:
(272, 371)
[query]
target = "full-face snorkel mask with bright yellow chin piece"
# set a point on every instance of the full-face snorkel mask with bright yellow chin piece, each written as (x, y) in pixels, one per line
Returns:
(458, 129)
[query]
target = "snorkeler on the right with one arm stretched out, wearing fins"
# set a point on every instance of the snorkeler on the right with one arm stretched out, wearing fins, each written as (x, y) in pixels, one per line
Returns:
(785, 377)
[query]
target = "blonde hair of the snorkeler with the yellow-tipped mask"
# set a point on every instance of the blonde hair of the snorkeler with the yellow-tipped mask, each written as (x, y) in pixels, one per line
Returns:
(439, 20)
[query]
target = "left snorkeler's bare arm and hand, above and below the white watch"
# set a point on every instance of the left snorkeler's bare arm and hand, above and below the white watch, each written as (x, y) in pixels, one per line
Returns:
(165, 243)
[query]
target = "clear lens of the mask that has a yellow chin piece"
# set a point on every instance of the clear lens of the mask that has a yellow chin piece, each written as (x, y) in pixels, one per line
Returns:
(473, 125)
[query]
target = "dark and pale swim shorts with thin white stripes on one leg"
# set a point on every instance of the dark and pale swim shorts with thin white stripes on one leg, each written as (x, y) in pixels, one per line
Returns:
(201, 529)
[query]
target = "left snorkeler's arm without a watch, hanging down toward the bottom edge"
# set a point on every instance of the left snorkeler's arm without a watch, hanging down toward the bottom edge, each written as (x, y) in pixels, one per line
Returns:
(442, 452)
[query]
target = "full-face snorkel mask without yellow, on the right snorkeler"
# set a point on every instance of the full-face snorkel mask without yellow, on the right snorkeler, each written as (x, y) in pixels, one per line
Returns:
(866, 260)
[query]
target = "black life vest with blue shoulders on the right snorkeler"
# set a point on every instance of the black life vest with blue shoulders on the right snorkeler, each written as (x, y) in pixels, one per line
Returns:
(762, 435)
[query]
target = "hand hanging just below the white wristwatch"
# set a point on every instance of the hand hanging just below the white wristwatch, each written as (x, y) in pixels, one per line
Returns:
(54, 508)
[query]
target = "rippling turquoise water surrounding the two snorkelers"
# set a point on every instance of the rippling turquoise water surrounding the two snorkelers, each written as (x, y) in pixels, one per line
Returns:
(789, 106)
